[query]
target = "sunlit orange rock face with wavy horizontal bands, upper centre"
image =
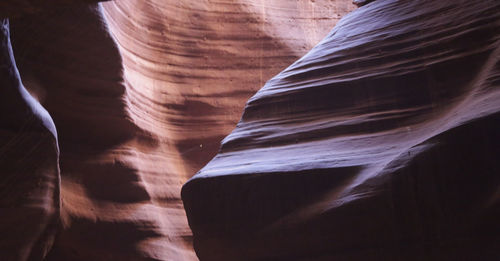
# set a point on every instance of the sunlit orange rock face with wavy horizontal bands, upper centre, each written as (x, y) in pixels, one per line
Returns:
(190, 66)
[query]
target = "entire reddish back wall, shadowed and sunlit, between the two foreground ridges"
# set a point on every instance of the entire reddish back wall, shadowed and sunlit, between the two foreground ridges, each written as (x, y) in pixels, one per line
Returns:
(142, 93)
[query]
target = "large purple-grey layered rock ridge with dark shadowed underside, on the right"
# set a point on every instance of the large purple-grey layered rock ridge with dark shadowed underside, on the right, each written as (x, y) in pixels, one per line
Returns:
(381, 143)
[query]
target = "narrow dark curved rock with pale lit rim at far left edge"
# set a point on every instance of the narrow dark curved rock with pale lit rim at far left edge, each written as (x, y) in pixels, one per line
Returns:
(29, 180)
